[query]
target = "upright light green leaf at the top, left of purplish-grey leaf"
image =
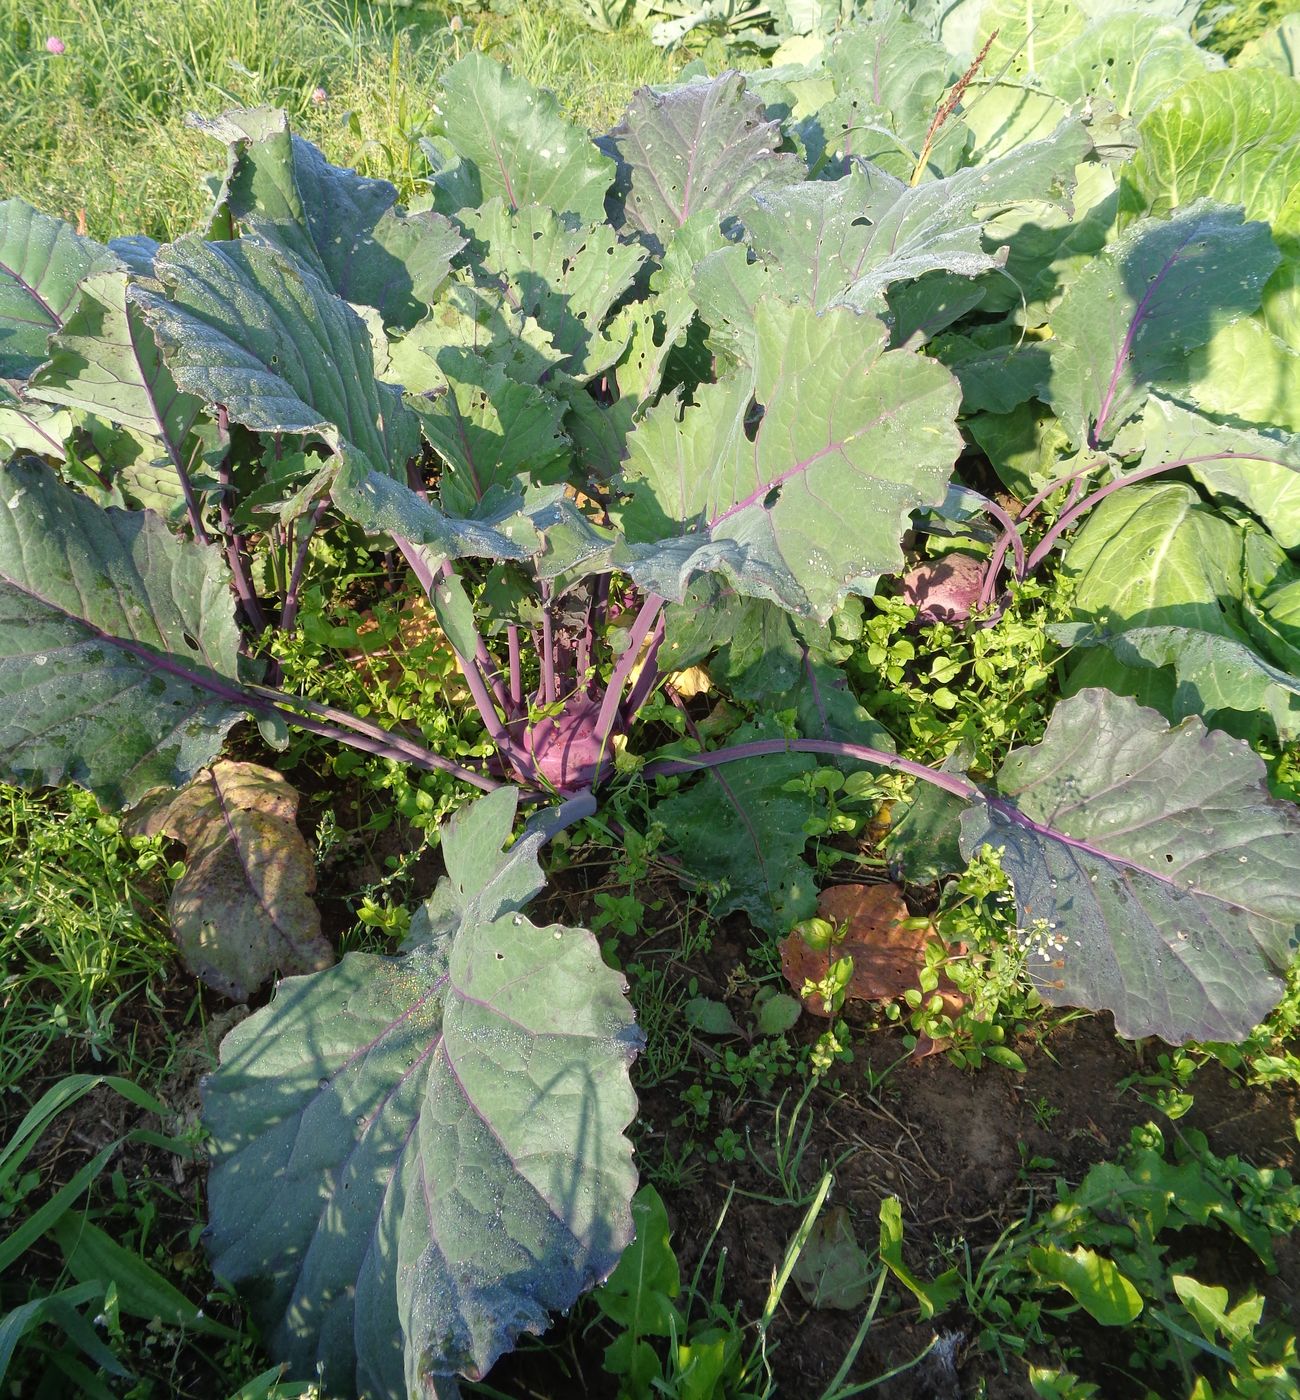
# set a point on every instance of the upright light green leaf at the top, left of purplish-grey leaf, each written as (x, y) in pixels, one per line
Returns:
(518, 145)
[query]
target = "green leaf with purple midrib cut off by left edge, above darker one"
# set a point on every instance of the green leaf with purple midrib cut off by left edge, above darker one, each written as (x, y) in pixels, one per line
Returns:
(41, 264)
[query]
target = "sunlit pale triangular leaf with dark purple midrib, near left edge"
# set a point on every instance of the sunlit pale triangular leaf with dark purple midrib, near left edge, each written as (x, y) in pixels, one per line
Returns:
(106, 360)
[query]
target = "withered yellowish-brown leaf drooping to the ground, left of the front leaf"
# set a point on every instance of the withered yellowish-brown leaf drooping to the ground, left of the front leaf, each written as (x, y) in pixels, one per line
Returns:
(243, 911)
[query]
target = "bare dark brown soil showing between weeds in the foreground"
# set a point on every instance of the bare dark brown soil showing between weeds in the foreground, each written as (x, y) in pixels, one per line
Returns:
(966, 1154)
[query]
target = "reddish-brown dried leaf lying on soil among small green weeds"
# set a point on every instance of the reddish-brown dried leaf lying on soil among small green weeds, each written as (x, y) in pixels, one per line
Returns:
(879, 936)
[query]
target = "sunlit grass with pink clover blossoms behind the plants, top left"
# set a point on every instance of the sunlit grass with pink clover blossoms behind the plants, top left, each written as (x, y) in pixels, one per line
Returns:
(97, 134)
